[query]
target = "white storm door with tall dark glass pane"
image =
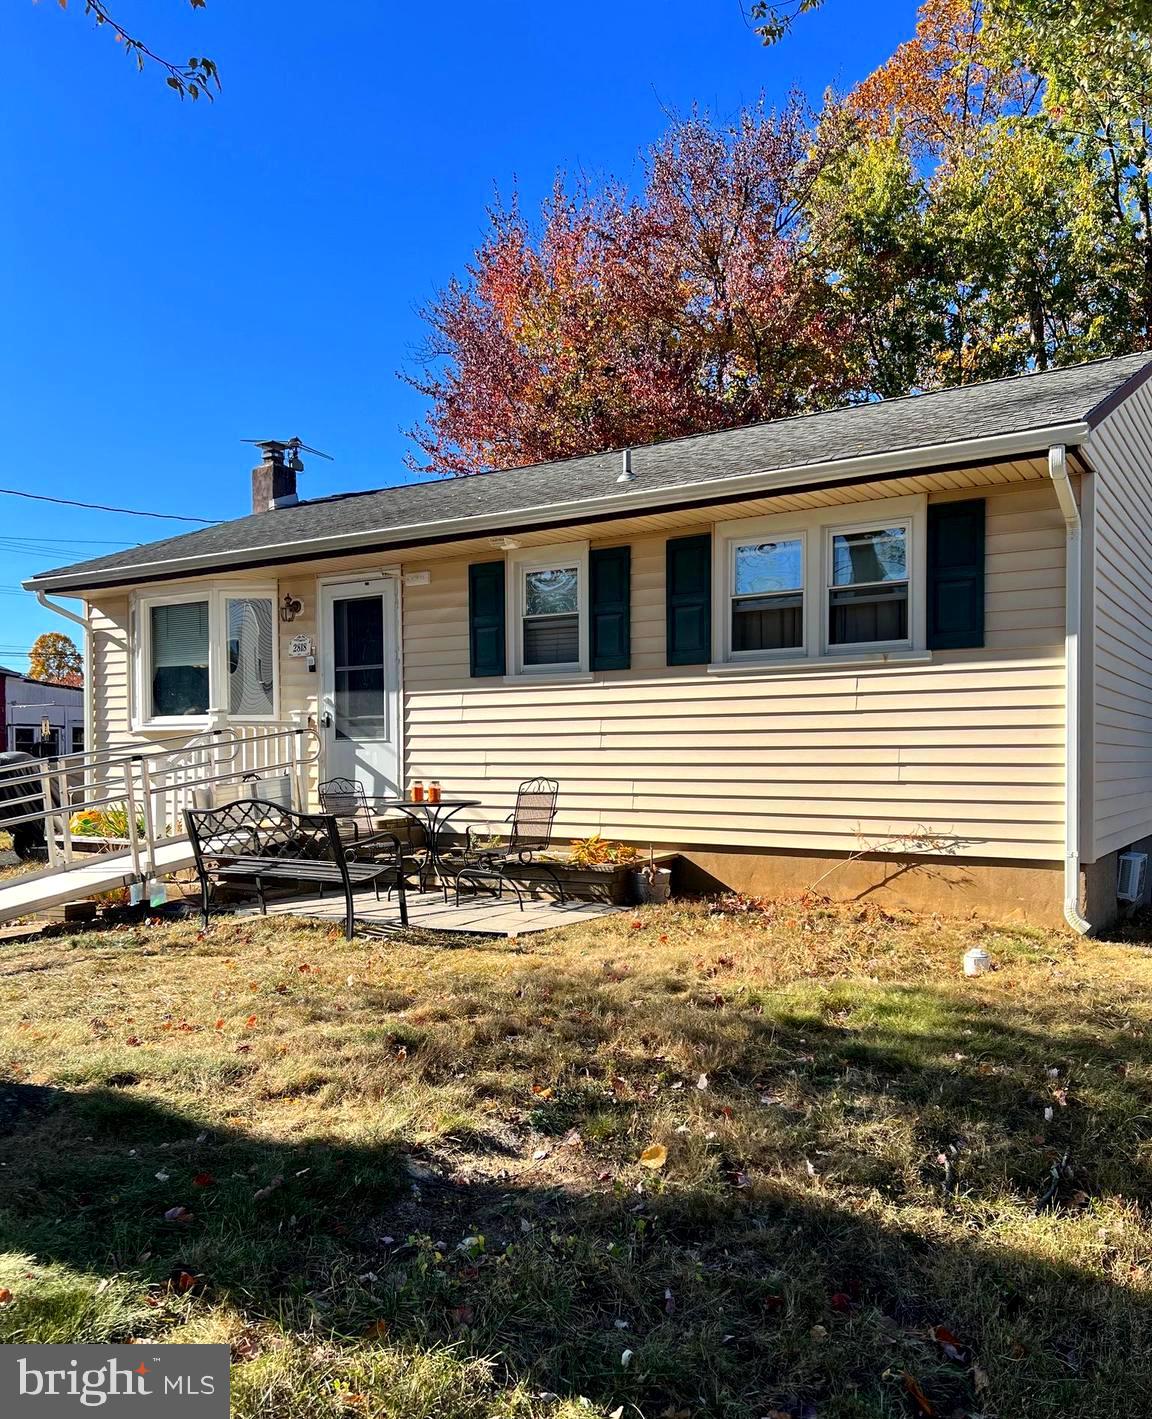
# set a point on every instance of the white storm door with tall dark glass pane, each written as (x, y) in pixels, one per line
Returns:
(361, 685)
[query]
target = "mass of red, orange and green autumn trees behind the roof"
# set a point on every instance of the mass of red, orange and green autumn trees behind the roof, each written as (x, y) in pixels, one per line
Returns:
(977, 208)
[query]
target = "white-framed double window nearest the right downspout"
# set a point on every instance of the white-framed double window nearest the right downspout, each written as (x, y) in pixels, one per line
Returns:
(845, 581)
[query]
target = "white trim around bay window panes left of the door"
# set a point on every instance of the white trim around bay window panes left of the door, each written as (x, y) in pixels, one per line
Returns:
(218, 595)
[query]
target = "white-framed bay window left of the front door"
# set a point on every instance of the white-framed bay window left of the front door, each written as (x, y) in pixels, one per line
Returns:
(206, 651)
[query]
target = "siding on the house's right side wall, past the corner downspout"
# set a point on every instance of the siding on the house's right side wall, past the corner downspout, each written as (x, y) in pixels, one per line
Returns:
(1121, 452)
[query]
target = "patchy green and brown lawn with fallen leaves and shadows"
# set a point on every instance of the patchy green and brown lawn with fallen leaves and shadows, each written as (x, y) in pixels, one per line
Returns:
(412, 1176)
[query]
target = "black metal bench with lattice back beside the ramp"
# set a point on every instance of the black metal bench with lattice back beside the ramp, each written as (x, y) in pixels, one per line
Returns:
(259, 842)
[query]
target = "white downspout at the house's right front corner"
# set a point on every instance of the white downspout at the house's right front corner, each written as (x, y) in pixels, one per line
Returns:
(1073, 614)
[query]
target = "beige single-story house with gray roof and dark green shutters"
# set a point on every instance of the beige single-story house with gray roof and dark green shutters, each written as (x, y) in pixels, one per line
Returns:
(903, 648)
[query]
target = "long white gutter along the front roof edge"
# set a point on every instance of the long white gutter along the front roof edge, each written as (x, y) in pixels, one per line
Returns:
(990, 449)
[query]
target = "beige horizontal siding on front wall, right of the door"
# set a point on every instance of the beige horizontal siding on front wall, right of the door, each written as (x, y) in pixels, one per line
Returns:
(965, 751)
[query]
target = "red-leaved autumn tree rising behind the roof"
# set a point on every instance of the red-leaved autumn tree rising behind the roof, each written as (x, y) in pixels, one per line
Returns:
(619, 321)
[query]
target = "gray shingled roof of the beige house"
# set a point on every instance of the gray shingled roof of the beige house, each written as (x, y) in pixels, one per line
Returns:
(521, 496)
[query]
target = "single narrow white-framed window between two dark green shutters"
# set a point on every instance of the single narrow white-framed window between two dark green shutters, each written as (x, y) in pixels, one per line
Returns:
(548, 612)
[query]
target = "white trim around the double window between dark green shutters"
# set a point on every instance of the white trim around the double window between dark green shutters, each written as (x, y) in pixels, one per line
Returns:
(818, 527)
